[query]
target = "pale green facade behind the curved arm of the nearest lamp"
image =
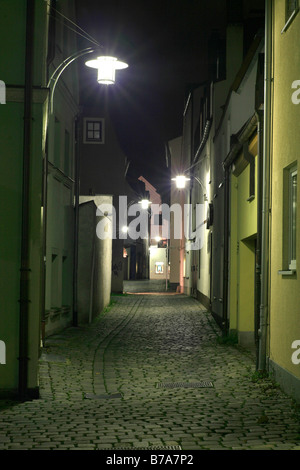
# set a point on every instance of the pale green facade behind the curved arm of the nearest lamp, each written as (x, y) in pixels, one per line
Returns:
(61, 167)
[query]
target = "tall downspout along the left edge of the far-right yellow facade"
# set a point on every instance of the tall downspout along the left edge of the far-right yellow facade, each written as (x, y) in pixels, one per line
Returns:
(262, 347)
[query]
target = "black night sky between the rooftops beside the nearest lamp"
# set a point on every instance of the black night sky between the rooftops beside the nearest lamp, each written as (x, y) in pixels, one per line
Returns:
(165, 44)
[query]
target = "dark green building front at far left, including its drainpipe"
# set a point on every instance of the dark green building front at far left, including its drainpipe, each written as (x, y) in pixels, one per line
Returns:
(23, 30)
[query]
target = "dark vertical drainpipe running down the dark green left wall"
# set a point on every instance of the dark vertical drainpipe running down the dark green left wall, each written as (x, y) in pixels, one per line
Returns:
(25, 269)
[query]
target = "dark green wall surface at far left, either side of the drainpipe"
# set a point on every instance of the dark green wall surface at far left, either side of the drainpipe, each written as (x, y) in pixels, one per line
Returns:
(12, 60)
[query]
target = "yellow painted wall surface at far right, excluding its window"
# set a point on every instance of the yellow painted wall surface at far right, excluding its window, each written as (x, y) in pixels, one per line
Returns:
(285, 290)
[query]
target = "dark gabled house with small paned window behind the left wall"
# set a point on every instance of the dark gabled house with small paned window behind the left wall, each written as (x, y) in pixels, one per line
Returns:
(103, 168)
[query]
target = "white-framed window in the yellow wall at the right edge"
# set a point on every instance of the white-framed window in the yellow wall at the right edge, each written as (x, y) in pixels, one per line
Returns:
(292, 217)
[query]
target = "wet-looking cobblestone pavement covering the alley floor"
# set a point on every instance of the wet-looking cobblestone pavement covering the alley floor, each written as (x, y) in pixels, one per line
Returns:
(150, 373)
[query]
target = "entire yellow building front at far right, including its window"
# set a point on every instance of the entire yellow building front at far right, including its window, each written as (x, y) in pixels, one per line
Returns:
(283, 110)
